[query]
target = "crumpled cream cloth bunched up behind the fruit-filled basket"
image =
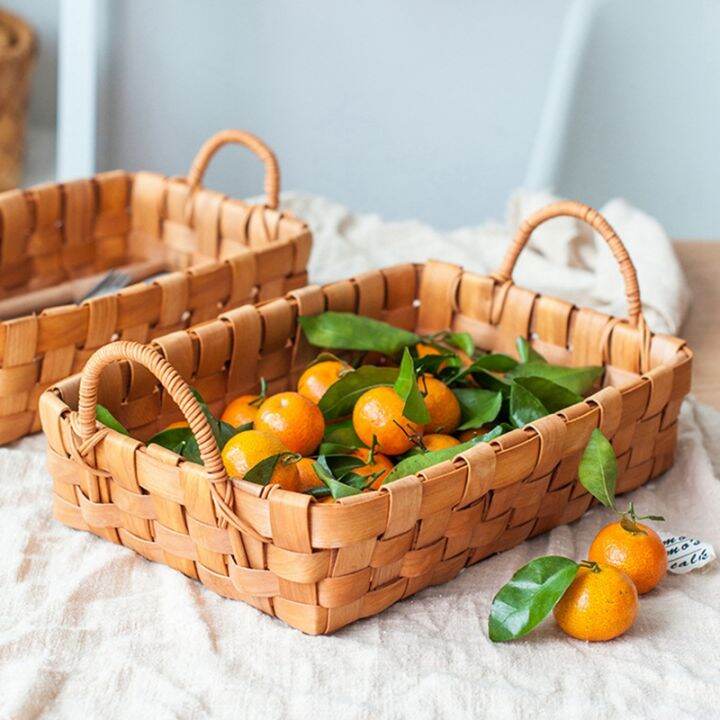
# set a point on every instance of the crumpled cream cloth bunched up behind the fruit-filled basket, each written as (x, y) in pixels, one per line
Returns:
(564, 257)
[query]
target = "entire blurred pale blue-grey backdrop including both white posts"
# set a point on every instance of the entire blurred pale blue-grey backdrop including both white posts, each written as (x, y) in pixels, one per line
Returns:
(411, 109)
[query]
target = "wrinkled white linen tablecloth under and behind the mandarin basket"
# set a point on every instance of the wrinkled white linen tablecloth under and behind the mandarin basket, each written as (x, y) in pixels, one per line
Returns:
(88, 629)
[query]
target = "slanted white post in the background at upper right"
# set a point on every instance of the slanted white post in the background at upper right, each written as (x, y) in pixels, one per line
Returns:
(546, 154)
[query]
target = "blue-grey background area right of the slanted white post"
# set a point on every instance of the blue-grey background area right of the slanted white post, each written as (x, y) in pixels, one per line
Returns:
(646, 119)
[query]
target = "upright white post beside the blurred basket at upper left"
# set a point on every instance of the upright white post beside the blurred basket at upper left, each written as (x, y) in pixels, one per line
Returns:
(77, 88)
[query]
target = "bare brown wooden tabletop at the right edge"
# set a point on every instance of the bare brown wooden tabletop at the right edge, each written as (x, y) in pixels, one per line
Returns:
(701, 261)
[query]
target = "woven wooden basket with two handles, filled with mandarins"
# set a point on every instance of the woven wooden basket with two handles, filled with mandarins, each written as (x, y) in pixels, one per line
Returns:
(321, 566)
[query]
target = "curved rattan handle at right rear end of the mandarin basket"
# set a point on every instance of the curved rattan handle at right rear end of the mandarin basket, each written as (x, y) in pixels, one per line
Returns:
(593, 218)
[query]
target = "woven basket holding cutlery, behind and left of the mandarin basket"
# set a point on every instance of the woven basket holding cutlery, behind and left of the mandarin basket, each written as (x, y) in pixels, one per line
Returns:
(223, 252)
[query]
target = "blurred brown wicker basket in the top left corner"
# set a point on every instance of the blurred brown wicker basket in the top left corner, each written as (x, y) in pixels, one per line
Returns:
(17, 57)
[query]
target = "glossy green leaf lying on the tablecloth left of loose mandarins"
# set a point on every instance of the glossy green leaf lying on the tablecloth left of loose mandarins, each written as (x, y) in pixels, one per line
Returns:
(529, 597)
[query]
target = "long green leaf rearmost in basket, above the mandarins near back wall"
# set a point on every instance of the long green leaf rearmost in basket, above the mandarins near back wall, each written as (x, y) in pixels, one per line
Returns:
(347, 331)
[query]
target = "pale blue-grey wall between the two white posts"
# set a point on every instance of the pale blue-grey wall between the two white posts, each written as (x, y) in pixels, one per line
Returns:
(407, 108)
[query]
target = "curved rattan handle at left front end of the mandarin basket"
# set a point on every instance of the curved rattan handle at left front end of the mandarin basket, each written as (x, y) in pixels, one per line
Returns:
(171, 381)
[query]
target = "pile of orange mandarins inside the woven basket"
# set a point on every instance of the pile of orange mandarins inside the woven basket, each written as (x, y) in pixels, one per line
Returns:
(291, 422)
